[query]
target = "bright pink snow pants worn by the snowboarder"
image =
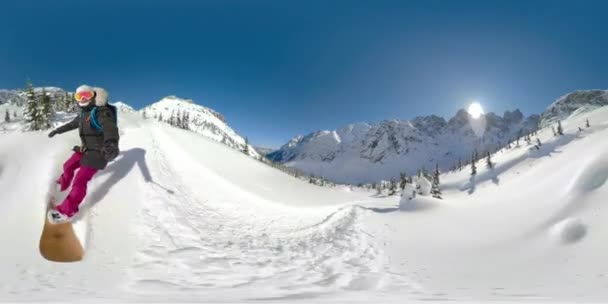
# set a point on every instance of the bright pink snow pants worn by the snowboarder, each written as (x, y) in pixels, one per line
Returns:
(69, 206)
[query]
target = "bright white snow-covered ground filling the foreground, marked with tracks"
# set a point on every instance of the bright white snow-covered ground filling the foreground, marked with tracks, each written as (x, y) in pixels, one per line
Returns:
(179, 218)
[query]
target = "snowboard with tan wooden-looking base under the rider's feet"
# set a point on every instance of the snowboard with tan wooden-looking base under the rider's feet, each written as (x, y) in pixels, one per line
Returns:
(59, 242)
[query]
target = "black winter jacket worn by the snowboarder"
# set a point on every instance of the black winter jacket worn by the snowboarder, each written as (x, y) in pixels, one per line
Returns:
(93, 140)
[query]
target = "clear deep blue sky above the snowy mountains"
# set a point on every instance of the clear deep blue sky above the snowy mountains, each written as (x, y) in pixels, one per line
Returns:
(276, 69)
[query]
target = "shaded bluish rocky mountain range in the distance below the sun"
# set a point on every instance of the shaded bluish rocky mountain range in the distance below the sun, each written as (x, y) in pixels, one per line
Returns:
(365, 152)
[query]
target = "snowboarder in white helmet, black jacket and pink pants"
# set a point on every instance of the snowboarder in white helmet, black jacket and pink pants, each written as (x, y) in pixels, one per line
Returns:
(98, 130)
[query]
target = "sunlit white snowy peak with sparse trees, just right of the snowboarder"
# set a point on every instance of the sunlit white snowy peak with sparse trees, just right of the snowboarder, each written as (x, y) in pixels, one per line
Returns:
(202, 120)
